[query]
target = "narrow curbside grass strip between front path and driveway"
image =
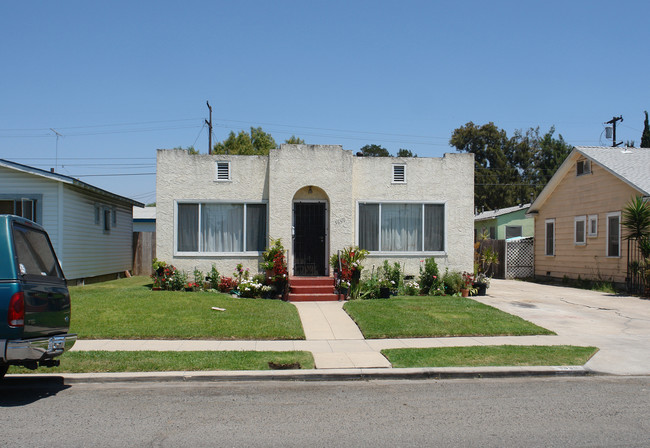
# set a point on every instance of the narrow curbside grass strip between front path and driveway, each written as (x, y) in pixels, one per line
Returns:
(498, 355)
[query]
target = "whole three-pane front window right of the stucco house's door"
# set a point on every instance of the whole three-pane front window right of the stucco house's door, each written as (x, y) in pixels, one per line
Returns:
(402, 227)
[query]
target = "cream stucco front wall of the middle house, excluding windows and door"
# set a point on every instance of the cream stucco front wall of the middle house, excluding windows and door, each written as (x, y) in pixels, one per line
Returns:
(337, 177)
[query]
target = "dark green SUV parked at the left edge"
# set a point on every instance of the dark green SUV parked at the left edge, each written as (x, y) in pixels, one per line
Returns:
(34, 297)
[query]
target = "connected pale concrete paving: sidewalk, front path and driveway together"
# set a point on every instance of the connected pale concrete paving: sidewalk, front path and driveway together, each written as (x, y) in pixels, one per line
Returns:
(619, 326)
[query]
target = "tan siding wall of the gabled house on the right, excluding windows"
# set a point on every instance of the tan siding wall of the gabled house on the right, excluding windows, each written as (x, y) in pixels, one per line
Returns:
(598, 193)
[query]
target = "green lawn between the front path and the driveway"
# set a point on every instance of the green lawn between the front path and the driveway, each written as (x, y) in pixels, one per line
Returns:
(415, 317)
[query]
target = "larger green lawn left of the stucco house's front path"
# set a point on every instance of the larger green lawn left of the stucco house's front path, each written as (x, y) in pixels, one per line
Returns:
(129, 309)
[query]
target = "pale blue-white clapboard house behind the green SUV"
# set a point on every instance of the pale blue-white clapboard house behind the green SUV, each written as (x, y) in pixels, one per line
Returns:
(91, 229)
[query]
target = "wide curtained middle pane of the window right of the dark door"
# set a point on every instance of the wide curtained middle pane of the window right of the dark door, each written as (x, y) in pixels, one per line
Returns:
(401, 227)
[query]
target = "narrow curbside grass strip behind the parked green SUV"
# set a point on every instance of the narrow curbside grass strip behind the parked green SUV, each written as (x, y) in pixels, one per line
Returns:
(166, 361)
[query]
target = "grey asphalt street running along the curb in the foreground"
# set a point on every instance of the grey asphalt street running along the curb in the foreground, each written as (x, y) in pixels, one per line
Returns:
(535, 412)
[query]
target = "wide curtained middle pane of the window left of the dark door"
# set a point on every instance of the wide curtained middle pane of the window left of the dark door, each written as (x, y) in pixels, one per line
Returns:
(222, 227)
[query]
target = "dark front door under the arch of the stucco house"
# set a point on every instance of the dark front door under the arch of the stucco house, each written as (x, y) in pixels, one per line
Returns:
(309, 238)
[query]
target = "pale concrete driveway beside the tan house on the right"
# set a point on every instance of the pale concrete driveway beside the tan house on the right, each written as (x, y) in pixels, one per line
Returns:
(618, 325)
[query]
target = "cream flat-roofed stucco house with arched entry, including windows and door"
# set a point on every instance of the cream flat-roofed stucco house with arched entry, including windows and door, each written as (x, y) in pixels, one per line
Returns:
(222, 209)
